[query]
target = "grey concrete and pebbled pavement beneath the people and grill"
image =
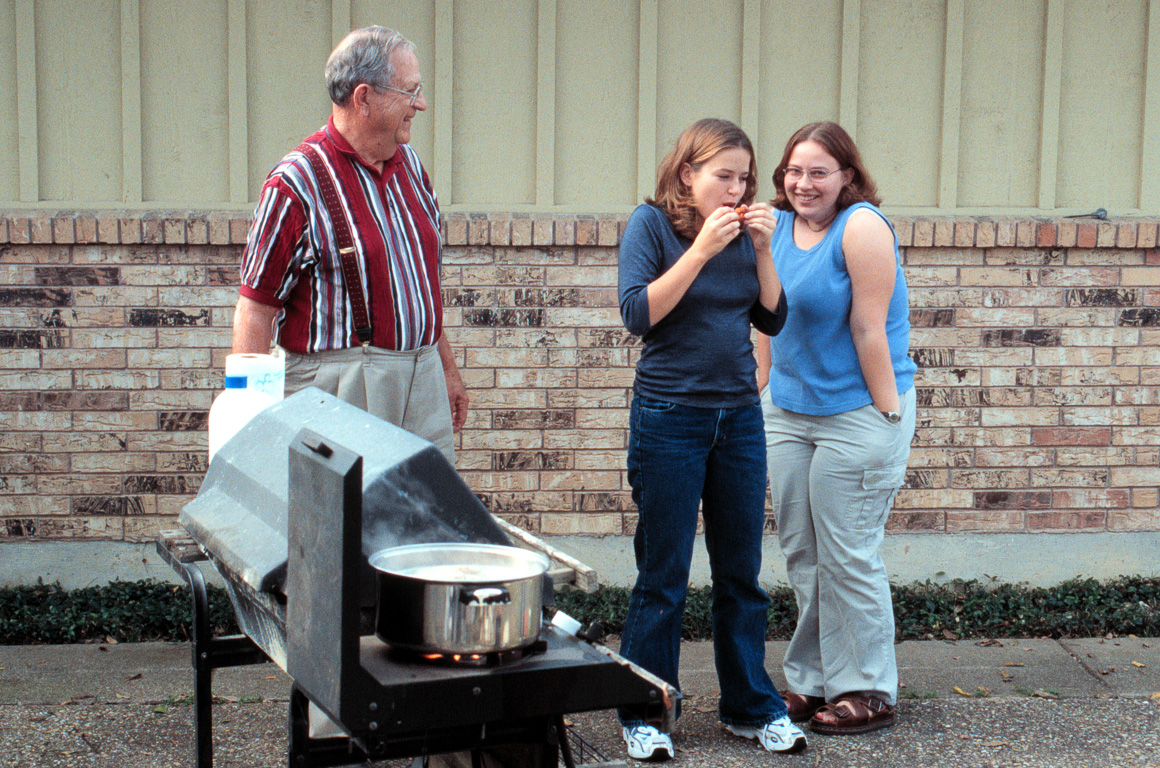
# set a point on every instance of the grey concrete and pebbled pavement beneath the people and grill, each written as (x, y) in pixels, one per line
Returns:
(1075, 704)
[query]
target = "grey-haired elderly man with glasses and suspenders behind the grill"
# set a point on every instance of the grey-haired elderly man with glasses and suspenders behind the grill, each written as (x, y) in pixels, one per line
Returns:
(343, 262)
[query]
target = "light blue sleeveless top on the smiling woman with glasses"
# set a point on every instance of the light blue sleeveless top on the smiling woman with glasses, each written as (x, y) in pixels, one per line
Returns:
(815, 365)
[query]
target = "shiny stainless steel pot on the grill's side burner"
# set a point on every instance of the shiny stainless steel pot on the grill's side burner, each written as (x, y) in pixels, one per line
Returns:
(459, 598)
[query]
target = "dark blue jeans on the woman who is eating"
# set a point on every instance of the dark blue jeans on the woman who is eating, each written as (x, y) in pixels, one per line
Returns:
(681, 458)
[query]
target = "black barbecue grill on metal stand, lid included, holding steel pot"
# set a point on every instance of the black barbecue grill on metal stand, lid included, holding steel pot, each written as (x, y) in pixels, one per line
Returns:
(291, 511)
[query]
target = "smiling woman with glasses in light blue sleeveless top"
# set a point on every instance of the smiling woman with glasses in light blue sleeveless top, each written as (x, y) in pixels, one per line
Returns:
(839, 422)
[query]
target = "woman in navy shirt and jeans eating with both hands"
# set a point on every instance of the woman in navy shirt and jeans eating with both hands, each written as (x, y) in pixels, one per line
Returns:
(695, 273)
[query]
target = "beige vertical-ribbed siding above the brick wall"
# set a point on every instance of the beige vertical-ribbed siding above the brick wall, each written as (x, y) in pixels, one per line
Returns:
(960, 106)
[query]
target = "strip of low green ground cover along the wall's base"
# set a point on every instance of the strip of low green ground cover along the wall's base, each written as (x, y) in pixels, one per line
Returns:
(130, 612)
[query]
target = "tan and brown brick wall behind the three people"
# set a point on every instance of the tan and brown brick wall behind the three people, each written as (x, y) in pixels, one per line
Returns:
(1038, 343)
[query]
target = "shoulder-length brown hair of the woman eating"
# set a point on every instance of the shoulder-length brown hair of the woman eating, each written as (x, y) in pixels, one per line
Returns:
(697, 146)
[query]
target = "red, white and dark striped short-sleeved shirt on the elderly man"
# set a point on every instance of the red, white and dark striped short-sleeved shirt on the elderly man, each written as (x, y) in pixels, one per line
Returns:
(292, 259)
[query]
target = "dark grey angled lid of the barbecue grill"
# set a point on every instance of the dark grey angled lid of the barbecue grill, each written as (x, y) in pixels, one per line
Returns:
(411, 494)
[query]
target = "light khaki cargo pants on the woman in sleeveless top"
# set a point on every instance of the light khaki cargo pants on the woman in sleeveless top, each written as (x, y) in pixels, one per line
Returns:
(833, 481)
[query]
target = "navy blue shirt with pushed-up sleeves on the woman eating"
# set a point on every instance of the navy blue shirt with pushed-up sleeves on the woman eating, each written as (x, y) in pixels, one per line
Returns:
(701, 353)
